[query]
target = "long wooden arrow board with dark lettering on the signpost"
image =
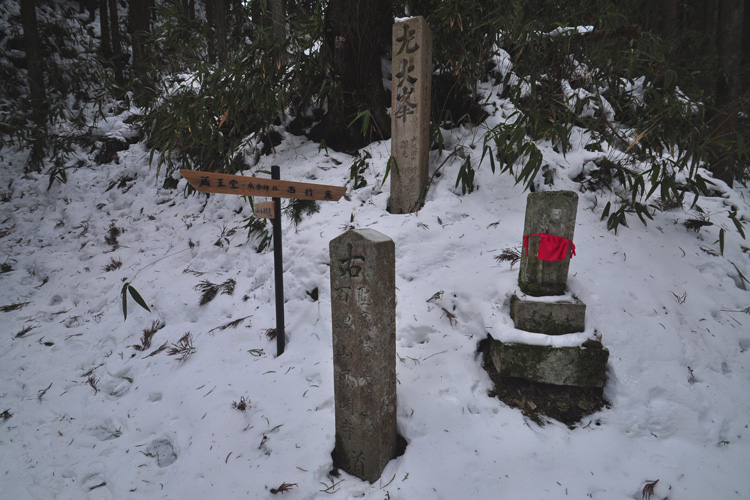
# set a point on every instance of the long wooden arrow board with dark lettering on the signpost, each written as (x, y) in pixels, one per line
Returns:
(212, 182)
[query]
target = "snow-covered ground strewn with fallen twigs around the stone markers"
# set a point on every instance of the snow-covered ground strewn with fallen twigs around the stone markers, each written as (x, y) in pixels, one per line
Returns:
(87, 415)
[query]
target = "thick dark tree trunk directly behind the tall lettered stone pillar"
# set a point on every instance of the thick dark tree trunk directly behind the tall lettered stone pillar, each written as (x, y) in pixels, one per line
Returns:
(356, 33)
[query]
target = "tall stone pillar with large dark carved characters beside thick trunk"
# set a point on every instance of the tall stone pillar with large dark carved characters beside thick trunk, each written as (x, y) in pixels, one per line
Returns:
(410, 114)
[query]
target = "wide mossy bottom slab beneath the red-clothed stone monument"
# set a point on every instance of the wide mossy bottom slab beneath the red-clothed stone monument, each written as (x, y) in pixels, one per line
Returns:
(571, 366)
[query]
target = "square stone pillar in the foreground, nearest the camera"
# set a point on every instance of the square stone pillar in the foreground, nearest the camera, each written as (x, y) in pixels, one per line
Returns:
(363, 310)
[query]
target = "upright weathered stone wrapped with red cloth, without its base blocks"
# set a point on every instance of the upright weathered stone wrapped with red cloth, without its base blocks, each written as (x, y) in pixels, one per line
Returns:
(553, 213)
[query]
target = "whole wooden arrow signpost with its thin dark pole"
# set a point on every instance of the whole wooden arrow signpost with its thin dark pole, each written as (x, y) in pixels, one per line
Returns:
(212, 182)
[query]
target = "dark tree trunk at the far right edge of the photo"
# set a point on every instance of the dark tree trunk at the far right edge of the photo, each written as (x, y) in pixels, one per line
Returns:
(728, 90)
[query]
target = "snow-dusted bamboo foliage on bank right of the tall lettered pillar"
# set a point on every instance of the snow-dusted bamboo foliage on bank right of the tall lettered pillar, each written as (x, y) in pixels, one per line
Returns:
(611, 83)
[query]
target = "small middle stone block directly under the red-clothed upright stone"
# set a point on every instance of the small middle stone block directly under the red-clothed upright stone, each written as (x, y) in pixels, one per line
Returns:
(548, 317)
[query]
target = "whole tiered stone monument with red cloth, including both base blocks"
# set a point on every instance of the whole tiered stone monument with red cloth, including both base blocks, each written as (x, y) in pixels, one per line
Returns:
(542, 276)
